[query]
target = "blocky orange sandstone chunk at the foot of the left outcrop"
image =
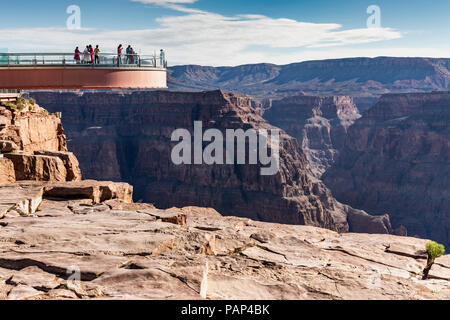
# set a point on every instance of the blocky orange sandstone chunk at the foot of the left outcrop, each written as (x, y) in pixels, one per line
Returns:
(38, 168)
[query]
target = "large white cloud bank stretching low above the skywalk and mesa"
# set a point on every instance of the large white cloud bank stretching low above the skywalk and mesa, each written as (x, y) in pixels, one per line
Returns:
(202, 37)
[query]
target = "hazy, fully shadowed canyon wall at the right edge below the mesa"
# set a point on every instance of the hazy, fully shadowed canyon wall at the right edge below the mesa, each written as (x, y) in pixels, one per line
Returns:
(397, 160)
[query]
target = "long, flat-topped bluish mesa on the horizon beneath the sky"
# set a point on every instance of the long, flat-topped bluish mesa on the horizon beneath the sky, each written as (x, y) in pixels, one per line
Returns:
(365, 79)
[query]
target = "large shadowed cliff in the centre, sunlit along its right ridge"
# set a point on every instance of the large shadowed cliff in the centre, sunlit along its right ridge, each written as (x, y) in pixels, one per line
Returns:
(127, 137)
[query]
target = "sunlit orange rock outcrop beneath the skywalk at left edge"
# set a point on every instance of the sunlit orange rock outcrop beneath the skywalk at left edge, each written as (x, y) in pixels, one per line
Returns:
(33, 145)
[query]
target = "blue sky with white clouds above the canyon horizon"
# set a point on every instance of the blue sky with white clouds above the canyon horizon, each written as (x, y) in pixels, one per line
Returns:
(231, 32)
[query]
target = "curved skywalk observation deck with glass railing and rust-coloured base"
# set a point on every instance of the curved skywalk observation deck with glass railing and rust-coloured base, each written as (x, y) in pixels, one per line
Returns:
(40, 71)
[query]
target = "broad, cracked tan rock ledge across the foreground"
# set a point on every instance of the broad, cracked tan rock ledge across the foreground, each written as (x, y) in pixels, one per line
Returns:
(126, 250)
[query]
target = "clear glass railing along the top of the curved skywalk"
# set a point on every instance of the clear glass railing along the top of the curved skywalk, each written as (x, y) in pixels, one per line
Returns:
(68, 60)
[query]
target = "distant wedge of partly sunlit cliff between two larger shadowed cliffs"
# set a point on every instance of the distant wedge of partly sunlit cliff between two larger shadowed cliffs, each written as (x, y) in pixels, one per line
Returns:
(318, 123)
